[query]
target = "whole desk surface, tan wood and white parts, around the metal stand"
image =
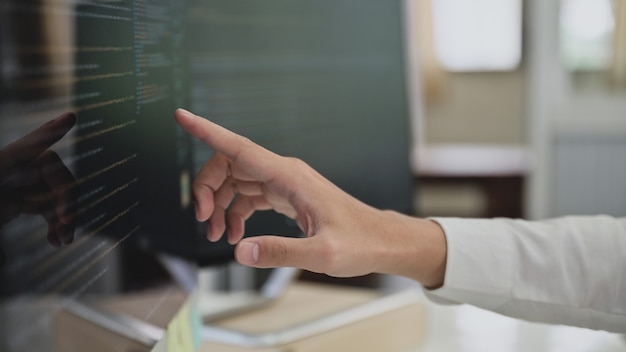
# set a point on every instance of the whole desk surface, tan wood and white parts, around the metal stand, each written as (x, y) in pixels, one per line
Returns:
(422, 327)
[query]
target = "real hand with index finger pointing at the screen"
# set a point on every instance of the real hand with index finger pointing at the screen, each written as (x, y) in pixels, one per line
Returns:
(344, 237)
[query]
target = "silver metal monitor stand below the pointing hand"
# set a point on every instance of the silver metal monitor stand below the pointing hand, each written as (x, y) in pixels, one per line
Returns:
(215, 304)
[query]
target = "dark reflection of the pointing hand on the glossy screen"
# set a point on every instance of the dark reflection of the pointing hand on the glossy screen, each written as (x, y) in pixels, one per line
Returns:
(34, 180)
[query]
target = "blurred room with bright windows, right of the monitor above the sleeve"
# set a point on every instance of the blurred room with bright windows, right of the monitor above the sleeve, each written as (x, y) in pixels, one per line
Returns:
(524, 107)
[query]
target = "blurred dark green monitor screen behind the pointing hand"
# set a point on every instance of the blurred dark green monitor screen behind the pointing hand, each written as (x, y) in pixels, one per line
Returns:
(319, 80)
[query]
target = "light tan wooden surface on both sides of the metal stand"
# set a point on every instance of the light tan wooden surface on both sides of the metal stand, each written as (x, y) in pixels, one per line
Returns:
(396, 330)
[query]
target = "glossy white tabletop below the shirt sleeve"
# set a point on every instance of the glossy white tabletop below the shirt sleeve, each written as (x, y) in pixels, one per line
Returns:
(468, 329)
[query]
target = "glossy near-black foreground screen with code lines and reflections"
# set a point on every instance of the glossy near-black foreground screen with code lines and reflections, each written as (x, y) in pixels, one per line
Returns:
(92, 162)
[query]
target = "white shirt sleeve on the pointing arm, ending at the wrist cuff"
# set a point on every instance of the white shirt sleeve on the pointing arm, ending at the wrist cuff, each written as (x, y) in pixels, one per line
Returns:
(569, 270)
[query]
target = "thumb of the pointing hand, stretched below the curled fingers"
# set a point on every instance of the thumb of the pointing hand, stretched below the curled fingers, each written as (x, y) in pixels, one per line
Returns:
(274, 252)
